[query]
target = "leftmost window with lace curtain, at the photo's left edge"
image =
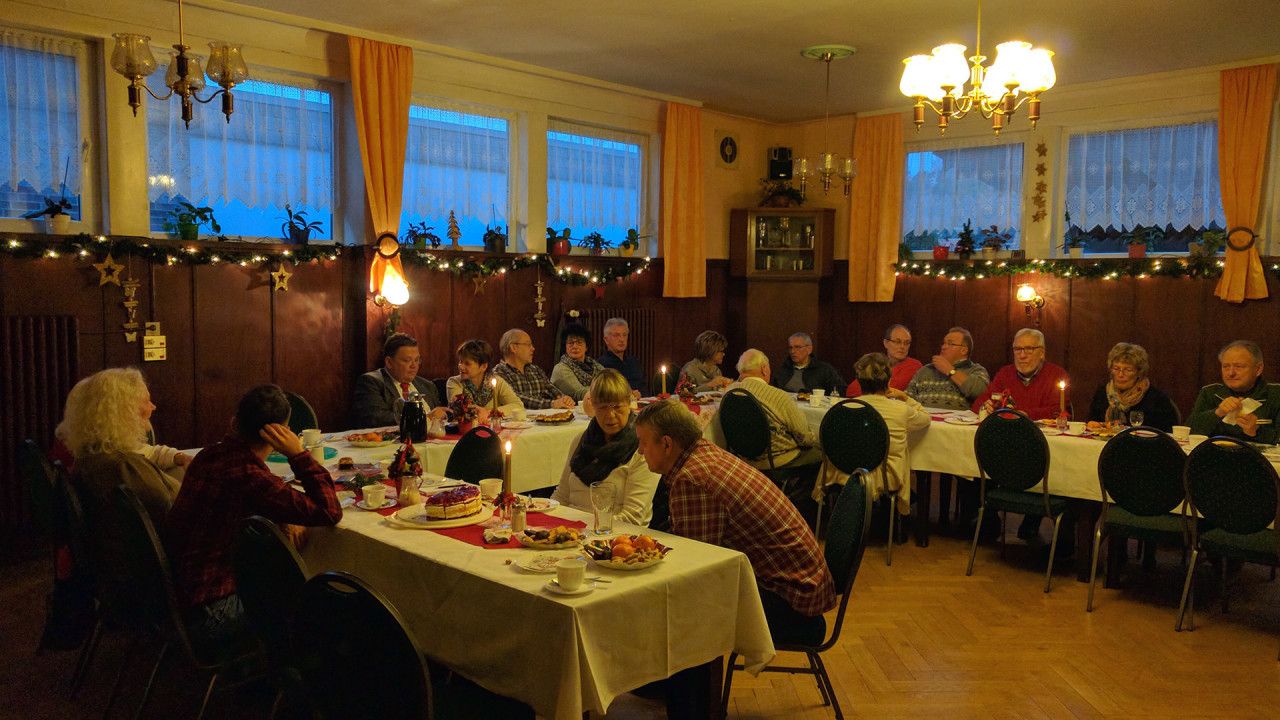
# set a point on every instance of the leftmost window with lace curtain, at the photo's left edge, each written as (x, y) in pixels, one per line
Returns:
(40, 122)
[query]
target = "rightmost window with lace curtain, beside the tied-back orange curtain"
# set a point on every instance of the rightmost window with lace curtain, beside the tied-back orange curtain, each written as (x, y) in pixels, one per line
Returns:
(1163, 179)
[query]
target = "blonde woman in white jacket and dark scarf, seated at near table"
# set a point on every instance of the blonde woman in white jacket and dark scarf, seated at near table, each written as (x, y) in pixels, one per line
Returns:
(609, 453)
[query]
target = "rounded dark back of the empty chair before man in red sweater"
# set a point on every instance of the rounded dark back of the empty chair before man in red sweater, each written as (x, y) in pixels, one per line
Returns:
(1012, 452)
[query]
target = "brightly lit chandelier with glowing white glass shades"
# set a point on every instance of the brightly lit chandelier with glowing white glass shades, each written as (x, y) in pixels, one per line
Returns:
(1018, 76)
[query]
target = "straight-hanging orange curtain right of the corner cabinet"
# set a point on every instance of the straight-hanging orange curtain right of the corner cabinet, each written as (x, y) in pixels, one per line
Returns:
(876, 211)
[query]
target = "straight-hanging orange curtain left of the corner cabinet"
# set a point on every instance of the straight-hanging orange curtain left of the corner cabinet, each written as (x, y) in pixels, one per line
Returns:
(684, 213)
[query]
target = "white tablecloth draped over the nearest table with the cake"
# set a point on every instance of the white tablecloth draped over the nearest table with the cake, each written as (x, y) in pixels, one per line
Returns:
(496, 625)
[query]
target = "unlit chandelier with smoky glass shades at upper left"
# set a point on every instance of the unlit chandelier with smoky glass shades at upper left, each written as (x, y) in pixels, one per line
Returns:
(132, 58)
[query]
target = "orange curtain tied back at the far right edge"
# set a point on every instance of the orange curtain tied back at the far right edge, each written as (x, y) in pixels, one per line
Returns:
(1244, 129)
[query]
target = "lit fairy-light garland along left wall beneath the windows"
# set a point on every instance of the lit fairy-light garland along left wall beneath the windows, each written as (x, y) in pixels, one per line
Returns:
(172, 253)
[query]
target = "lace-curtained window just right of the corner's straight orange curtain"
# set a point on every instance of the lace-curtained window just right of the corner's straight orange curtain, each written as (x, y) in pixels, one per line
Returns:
(947, 189)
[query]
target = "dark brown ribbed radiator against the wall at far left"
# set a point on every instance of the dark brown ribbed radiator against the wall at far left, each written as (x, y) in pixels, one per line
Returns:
(42, 363)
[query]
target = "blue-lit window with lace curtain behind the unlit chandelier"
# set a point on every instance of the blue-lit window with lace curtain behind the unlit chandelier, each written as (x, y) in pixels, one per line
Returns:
(277, 151)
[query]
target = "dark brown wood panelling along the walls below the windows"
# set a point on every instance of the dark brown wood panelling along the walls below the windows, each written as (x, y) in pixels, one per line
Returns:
(227, 330)
